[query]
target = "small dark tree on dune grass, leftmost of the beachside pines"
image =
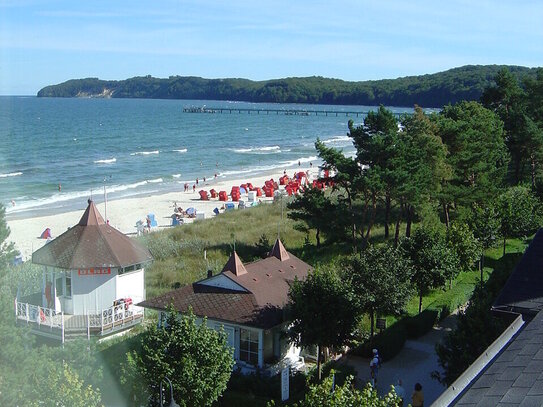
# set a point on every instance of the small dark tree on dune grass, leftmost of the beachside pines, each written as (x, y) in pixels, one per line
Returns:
(311, 207)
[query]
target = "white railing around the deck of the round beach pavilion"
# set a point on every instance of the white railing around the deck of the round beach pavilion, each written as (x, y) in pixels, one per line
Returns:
(105, 321)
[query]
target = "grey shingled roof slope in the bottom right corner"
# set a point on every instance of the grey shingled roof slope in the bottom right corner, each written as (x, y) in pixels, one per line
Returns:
(515, 377)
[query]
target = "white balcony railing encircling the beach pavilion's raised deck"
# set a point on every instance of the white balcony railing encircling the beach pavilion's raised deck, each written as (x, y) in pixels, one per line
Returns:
(48, 322)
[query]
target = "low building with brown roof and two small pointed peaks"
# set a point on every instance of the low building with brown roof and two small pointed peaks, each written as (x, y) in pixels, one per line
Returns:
(247, 301)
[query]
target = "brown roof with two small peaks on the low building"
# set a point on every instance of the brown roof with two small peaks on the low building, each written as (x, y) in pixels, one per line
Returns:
(267, 283)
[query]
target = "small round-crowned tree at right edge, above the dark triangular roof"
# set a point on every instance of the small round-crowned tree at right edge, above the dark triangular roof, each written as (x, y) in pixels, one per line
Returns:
(519, 211)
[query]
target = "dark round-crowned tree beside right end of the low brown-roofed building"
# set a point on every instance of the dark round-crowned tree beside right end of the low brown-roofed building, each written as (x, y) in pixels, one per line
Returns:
(323, 311)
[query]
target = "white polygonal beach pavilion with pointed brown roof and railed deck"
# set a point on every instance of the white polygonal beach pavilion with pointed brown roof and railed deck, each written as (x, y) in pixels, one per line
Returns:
(92, 276)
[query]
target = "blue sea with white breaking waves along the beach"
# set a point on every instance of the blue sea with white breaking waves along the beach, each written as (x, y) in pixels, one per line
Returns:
(143, 146)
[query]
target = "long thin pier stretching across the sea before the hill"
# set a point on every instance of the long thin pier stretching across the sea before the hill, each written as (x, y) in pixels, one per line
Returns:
(287, 112)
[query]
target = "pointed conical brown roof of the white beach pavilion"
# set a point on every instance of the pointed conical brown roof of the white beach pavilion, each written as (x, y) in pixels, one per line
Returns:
(91, 243)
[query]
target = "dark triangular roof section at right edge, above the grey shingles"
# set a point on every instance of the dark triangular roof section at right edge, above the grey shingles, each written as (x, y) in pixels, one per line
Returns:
(523, 292)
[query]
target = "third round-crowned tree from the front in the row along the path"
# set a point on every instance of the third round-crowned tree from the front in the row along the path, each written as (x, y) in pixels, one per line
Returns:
(431, 259)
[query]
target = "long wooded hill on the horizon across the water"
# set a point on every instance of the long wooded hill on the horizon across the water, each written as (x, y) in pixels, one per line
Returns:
(434, 90)
